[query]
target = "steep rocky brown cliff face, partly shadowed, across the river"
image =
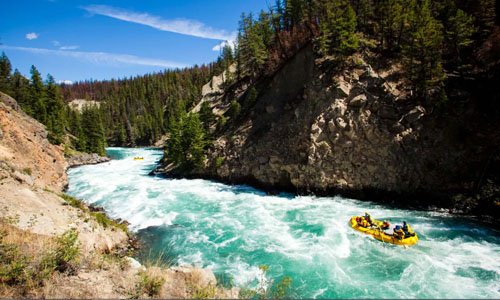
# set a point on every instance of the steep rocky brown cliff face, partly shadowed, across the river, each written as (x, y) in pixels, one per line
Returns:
(318, 127)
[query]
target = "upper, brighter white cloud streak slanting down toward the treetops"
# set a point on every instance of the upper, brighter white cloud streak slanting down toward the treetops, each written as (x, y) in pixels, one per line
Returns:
(181, 26)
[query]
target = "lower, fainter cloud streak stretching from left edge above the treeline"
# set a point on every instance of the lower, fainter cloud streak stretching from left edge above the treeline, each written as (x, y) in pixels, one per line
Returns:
(101, 57)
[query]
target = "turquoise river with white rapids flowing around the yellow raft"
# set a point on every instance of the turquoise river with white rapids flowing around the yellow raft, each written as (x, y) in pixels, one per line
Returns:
(234, 229)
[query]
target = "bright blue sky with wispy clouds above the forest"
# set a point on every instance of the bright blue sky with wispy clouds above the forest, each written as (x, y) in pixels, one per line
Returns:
(101, 39)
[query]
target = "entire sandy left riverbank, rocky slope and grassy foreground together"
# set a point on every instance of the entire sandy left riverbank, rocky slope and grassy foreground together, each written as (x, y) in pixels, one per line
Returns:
(54, 246)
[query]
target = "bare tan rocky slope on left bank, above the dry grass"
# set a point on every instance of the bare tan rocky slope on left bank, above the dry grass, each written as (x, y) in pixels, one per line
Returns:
(32, 175)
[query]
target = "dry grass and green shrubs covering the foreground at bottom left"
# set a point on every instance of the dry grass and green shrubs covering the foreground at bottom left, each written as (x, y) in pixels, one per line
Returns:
(35, 266)
